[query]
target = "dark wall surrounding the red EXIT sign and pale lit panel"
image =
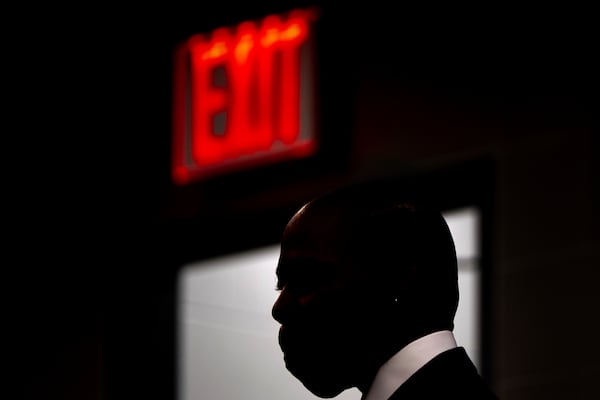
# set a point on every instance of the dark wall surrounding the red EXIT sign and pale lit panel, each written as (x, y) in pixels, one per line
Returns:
(90, 207)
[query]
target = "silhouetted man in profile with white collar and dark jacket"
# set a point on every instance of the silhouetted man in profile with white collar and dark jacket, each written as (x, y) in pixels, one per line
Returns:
(368, 292)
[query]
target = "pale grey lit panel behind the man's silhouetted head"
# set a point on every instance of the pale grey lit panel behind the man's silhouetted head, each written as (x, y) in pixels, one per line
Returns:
(228, 345)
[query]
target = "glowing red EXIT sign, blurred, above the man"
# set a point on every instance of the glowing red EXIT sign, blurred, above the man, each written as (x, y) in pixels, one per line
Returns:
(244, 96)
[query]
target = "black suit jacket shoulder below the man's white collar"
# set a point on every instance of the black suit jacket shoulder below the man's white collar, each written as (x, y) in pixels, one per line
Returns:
(449, 375)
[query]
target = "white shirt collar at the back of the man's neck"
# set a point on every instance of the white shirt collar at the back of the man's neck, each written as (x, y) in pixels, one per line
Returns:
(407, 361)
